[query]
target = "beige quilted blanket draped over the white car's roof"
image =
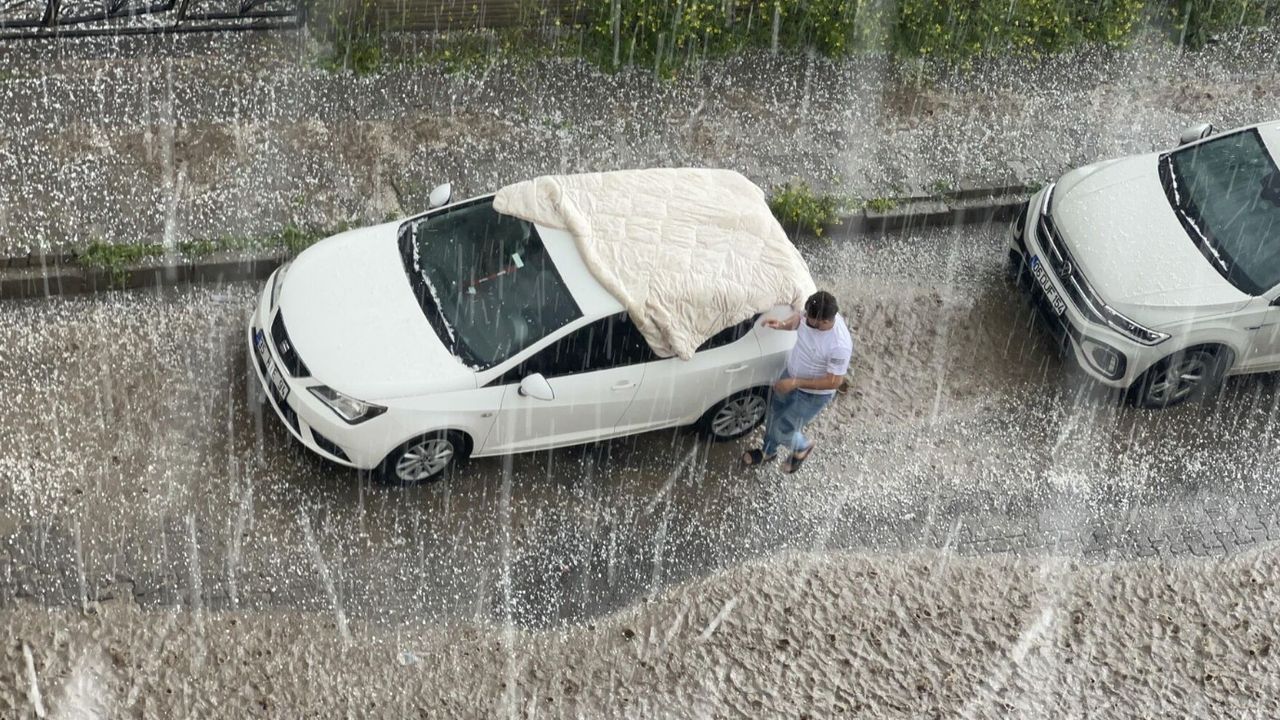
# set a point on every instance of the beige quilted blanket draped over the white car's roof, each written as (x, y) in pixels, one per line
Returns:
(687, 252)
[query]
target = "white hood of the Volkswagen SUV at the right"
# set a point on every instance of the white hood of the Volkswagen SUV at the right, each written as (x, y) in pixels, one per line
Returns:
(1117, 222)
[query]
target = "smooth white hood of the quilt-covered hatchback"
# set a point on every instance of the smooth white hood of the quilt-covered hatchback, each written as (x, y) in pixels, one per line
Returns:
(353, 317)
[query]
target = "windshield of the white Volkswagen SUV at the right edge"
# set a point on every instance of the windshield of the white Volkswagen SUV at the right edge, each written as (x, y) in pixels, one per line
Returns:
(1227, 194)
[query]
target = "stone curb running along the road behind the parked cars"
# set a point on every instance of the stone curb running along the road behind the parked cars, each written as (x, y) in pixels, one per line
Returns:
(58, 274)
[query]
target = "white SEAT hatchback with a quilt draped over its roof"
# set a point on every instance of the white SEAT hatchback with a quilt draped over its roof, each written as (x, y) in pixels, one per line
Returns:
(463, 332)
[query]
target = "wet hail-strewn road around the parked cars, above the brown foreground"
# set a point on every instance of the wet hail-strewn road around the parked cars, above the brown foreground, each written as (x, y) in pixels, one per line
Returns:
(135, 461)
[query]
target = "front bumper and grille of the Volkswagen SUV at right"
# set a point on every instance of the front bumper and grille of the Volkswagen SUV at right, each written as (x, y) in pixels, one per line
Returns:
(1107, 356)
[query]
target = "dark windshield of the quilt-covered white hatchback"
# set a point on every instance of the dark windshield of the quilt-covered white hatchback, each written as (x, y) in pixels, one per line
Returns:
(484, 281)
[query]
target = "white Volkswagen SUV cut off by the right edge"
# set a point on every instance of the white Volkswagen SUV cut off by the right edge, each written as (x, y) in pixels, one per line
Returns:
(1162, 274)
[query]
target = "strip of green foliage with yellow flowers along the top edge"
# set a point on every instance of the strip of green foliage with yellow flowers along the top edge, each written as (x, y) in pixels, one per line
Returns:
(673, 35)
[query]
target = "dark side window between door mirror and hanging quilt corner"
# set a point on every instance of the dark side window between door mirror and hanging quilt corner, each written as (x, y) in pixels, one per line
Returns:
(611, 343)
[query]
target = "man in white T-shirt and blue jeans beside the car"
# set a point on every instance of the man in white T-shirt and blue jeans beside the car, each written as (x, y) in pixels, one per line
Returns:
(816, 367)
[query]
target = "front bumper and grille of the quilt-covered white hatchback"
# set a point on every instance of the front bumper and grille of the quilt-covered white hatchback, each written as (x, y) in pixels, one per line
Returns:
(308, 420)
